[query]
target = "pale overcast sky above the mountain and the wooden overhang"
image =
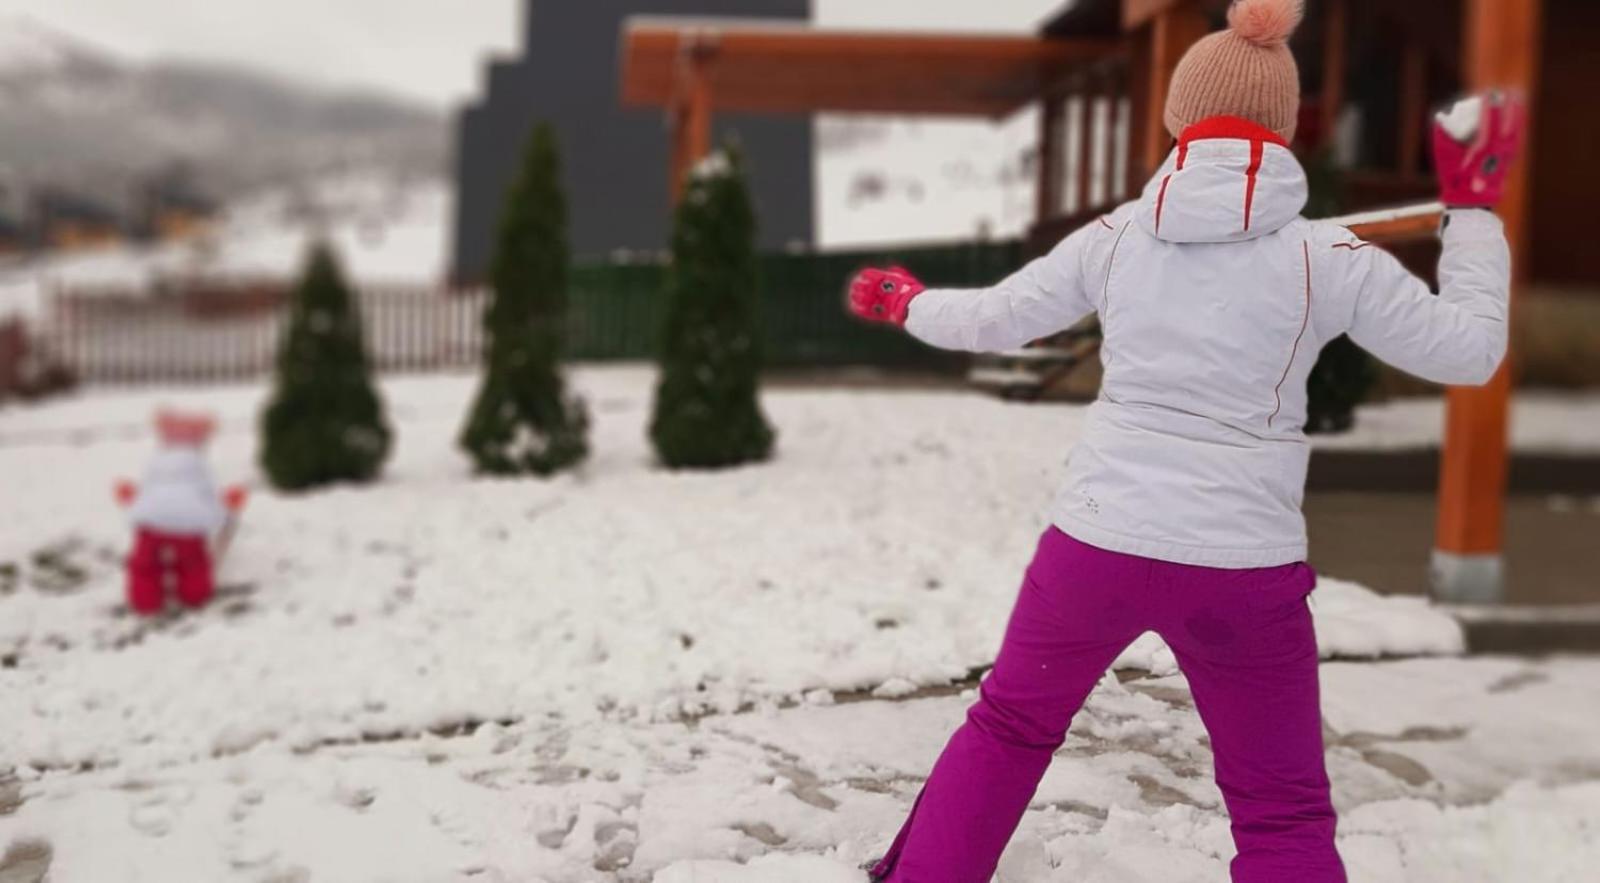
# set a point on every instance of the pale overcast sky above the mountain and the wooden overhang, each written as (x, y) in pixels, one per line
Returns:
(423, 49)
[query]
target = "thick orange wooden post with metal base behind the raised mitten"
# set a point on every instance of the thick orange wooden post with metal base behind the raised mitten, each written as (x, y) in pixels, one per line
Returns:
(1502, 52)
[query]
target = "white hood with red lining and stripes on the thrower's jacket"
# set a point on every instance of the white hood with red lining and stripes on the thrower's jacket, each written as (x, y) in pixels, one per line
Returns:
(1230, 180)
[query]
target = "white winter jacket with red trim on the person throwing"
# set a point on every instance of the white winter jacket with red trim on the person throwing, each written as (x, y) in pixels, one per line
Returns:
(1217, 298)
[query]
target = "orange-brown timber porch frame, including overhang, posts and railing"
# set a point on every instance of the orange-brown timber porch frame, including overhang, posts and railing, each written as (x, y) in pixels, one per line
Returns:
(694, 68)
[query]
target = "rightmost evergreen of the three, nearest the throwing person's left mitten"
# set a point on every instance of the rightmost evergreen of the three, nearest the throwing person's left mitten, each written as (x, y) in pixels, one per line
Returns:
(708, 412)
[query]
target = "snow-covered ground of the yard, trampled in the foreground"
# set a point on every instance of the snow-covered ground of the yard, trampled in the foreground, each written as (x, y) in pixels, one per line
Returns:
(631, 673)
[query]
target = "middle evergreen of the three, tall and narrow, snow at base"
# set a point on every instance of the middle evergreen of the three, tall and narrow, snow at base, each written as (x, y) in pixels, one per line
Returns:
(524, 420)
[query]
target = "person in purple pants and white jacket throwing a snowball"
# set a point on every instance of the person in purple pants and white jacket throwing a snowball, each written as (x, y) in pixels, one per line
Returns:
(1182, 509)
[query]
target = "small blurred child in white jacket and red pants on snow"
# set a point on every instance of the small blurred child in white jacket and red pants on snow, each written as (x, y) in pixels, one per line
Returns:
(177, 513)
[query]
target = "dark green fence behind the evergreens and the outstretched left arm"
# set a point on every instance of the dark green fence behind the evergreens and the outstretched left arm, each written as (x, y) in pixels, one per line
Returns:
(617, 310)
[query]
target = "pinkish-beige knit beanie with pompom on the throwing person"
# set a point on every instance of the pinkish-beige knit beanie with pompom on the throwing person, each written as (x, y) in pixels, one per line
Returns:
(1246, 71)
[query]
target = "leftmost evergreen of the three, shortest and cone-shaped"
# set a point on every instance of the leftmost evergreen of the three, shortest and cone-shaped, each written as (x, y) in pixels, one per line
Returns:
(326, 422)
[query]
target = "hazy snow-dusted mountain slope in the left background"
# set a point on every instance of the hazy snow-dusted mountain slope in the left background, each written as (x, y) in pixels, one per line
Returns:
(76, 114)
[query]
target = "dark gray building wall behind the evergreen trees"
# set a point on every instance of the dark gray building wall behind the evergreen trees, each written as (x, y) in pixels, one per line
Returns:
(615, 159)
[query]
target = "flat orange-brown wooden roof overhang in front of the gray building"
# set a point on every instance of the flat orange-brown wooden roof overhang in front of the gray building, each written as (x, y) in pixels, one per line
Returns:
(796, 70)
